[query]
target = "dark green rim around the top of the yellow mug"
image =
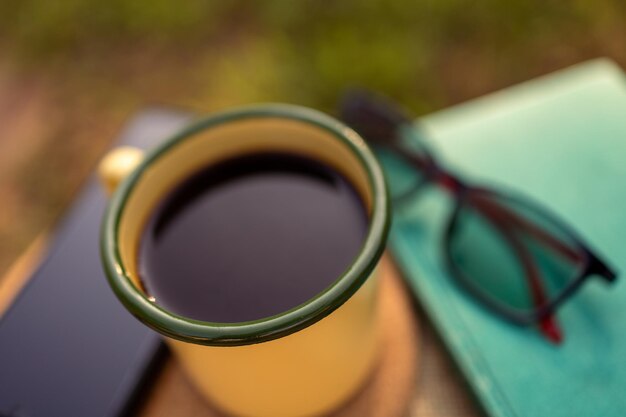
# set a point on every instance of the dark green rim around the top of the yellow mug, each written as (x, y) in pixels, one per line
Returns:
(244, 333)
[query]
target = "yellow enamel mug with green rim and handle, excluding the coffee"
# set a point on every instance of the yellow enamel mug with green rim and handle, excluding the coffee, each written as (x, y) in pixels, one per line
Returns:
(302, 362)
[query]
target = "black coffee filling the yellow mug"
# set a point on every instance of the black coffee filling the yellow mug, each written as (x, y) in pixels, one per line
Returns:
(251, 237)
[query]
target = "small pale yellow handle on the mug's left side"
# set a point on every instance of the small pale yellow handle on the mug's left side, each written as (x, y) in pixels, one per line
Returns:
(117, 164)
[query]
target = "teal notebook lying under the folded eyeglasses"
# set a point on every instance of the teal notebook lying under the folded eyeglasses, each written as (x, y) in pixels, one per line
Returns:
(561, 140)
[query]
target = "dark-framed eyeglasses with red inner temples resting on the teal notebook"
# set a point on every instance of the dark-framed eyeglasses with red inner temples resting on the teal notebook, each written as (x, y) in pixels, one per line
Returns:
(514, 257)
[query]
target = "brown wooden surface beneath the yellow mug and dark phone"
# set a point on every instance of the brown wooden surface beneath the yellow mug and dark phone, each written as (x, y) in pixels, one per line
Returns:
(414, 376)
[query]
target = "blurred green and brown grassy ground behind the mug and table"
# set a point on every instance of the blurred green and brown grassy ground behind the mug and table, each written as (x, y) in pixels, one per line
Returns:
(72, 71)
